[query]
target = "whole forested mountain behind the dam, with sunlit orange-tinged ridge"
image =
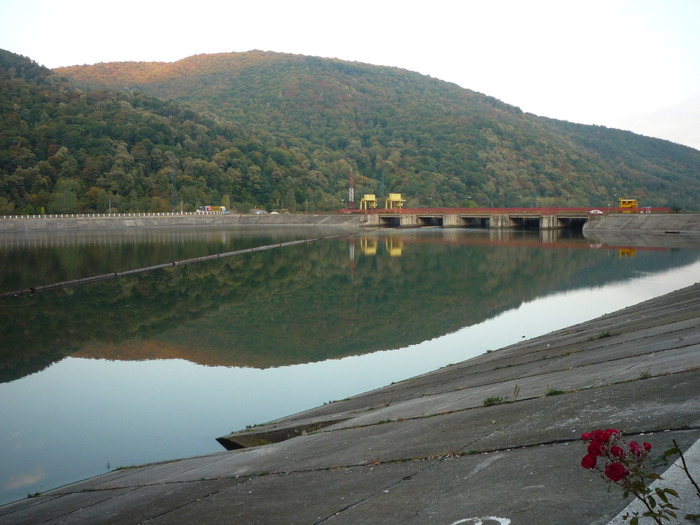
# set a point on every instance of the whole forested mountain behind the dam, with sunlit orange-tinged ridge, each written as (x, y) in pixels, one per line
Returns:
(279, 130)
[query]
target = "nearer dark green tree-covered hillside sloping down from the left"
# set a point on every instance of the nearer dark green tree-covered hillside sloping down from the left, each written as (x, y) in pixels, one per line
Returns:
(63, 150)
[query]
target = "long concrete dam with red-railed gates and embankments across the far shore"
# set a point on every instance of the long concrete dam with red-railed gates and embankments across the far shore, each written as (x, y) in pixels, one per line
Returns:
(649, 219)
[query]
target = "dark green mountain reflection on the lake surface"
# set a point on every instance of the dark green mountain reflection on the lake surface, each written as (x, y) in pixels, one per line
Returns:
(304, 303)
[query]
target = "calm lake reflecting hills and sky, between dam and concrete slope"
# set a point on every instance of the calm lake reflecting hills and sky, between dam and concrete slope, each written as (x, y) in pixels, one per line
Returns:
(155, 365)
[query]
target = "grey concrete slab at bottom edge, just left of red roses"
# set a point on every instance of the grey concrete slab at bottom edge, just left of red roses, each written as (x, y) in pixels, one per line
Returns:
(521, 486)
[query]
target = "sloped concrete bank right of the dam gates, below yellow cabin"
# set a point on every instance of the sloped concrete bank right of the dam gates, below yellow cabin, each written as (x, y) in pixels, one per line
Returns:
(668, 224)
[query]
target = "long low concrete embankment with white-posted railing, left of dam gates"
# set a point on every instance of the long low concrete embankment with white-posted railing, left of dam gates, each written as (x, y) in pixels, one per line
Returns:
(119, 222)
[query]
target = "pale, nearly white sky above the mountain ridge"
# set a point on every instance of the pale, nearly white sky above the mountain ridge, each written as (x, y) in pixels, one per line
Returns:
(628, 64)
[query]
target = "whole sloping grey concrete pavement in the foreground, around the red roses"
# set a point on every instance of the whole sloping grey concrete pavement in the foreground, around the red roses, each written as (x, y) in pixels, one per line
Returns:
(428, 450)
